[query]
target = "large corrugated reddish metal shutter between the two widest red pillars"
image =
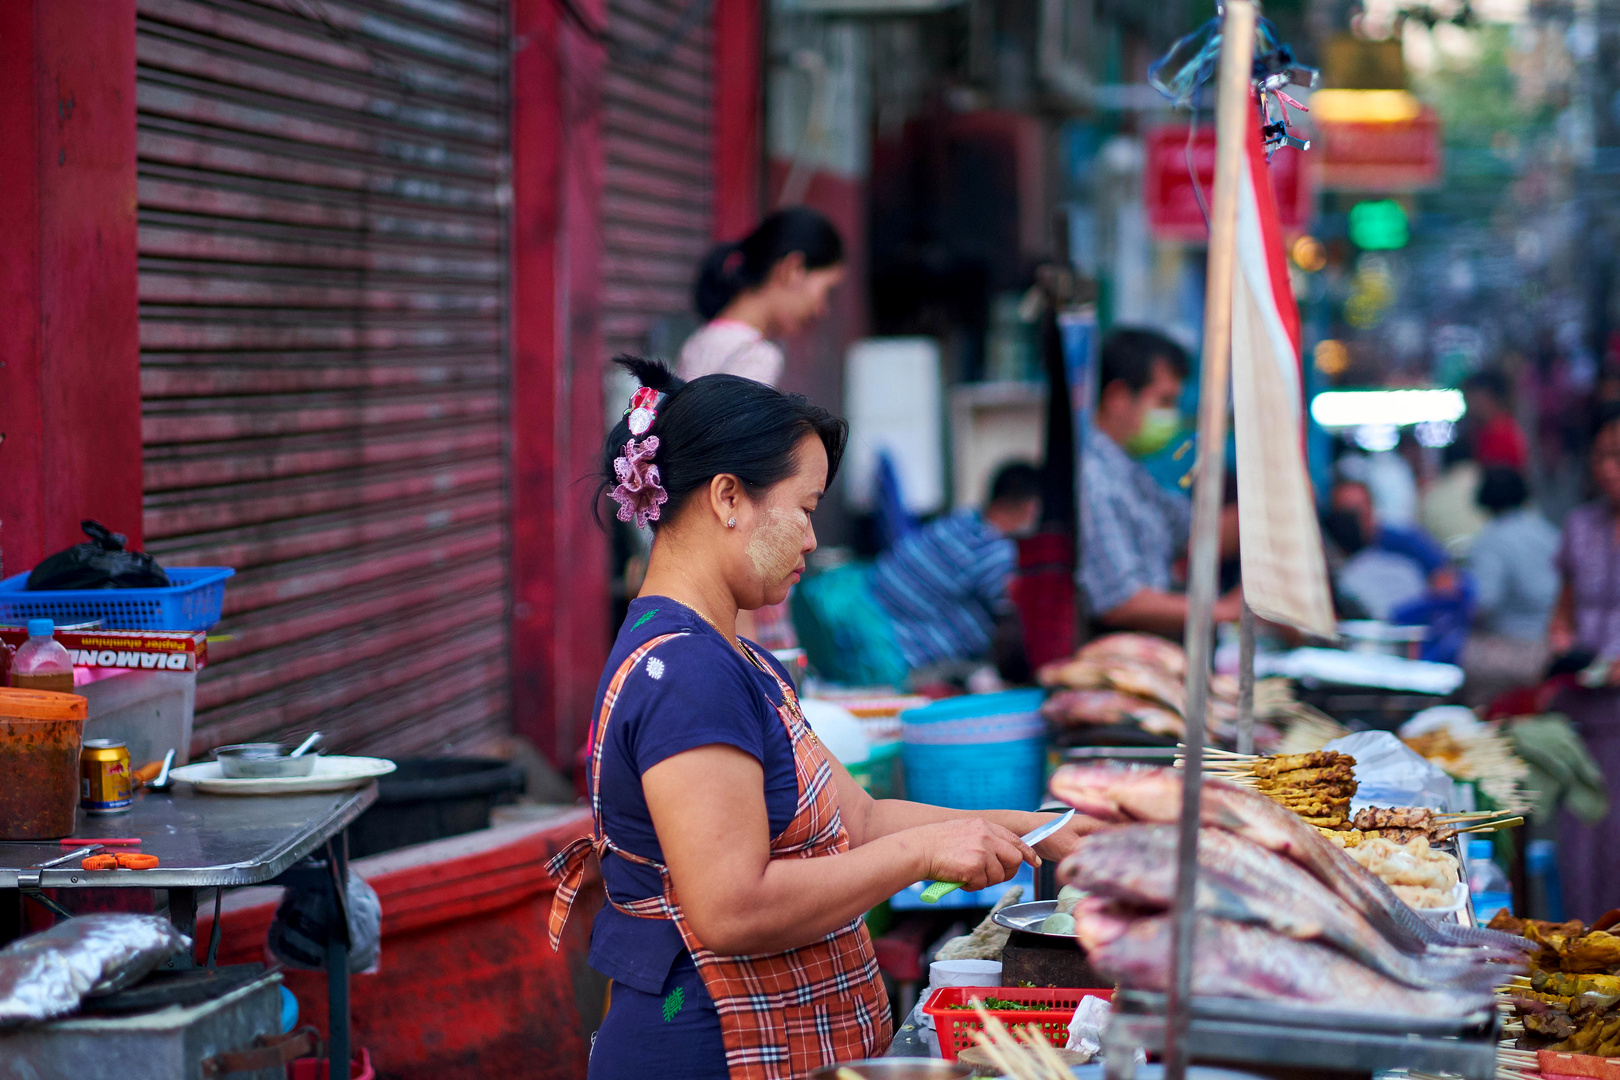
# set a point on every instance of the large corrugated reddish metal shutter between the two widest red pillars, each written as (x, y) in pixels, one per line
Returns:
(323, 357)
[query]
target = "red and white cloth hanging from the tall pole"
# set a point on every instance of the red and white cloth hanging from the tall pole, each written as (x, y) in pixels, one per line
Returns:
(1284, 566)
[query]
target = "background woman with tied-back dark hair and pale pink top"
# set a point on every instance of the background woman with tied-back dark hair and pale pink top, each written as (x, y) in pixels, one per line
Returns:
(770, 284)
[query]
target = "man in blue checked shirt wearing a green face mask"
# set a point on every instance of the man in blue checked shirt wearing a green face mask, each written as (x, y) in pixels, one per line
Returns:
(1132, 529)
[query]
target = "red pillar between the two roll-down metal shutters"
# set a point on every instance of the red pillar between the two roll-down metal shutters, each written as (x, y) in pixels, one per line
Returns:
(560, 558)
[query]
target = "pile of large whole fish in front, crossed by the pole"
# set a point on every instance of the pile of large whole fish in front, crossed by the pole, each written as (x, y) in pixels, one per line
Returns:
(1284, 914)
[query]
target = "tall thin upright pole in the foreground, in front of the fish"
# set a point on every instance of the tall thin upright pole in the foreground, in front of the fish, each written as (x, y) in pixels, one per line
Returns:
(1234, 114)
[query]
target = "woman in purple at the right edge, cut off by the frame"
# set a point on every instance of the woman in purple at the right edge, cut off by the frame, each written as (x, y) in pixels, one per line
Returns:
(1588, 619)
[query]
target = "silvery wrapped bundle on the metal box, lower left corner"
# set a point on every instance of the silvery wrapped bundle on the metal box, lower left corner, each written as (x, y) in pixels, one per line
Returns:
(46, 976)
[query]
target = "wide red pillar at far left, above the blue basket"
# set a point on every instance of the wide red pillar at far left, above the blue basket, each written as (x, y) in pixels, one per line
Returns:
(70, 393)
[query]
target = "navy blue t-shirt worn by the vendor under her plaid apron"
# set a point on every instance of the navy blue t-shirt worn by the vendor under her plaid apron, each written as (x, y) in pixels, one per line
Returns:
(689, 692)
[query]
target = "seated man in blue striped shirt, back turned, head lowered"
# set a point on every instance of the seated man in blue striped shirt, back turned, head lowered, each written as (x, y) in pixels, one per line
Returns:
(945, 585)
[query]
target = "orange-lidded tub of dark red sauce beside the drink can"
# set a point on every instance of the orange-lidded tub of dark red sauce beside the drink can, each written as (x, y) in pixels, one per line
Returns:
(40, 763)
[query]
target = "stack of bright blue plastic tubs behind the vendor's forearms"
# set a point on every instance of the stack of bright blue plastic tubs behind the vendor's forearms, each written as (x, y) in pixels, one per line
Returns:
(979, 752)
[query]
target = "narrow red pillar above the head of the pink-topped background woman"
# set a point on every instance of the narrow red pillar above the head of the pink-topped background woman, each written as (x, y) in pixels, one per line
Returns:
(740, 116)
